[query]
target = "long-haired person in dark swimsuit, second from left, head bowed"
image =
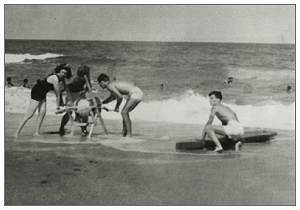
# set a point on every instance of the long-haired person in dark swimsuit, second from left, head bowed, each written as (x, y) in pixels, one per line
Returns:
(76, 88)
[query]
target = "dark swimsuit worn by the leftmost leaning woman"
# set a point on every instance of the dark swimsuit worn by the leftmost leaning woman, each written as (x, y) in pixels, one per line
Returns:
(40, 90)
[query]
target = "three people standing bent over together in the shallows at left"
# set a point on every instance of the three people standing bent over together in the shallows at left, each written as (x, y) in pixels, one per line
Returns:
(61, 79)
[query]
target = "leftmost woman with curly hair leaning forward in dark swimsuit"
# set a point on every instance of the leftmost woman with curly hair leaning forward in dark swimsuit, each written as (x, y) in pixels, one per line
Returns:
(38, 96)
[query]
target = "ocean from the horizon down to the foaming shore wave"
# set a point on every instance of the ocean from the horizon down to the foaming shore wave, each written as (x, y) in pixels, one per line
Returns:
(187, 72)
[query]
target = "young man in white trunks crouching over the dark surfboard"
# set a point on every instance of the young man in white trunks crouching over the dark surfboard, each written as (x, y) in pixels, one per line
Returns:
(230, 127)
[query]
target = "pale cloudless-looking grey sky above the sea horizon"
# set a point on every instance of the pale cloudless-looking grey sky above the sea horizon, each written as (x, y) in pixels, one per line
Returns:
(194, 23)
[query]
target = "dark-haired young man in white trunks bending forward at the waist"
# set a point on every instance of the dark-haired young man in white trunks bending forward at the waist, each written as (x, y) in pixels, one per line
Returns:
(117, 90)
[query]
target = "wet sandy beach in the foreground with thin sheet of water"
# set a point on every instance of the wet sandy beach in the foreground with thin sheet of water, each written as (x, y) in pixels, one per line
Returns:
(147, 171)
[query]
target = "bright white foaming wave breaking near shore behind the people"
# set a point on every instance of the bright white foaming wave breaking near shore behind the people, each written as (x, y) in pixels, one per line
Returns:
(189, 108)
